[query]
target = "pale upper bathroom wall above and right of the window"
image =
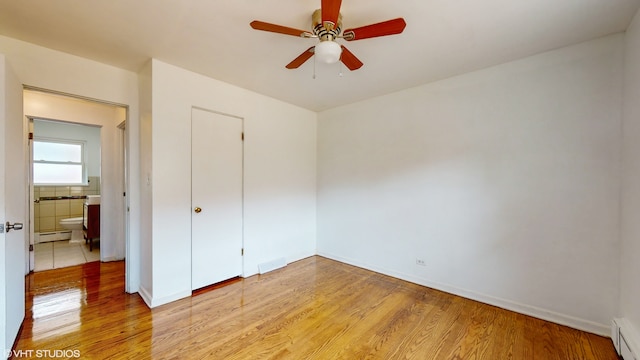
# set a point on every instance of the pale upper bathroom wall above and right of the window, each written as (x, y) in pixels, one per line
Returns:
(67, 131)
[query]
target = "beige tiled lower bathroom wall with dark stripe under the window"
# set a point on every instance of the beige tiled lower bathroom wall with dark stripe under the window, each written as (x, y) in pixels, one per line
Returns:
(47, 213)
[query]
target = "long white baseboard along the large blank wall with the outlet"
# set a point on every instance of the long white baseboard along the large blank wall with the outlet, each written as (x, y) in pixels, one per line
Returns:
(555, 317)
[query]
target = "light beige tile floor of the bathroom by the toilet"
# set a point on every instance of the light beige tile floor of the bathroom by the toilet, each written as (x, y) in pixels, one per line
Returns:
(58, 254)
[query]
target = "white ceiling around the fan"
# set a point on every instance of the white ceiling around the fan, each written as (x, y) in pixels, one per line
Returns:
(443, 38)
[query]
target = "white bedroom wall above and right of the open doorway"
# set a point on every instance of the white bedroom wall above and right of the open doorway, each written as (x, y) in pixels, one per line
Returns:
(49, 69)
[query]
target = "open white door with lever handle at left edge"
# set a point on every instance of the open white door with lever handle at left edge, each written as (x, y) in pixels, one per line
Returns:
(13, 185)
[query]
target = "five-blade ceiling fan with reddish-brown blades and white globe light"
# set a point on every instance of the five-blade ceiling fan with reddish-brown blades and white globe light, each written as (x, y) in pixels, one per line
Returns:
(327, 27)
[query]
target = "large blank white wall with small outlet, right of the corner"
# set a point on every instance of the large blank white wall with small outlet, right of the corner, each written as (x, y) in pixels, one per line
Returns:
(504, 181)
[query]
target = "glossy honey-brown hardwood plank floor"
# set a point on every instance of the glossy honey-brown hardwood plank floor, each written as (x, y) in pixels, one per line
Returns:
(312, 309)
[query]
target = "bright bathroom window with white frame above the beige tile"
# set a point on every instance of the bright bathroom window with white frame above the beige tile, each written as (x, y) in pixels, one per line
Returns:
(59, 162)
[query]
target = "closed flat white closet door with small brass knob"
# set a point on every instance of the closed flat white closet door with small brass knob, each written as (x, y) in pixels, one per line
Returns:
(216, 197)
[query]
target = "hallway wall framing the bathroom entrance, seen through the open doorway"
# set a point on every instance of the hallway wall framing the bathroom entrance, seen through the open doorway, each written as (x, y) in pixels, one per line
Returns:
(107, 118)
